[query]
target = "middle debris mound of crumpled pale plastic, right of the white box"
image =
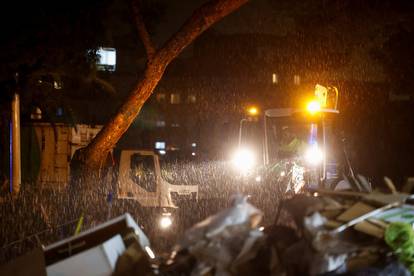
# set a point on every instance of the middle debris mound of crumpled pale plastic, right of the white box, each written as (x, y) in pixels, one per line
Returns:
(221, 244)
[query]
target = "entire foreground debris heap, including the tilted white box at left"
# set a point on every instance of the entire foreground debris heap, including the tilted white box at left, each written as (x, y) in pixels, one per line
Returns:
(319, 233)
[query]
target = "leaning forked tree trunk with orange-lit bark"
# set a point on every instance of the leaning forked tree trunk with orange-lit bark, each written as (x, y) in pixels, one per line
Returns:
(96, 152)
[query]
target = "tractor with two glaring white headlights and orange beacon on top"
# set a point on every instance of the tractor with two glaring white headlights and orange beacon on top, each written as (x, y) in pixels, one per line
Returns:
(296, 145)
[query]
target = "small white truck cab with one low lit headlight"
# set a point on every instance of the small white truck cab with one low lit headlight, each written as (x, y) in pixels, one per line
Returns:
(142, 189)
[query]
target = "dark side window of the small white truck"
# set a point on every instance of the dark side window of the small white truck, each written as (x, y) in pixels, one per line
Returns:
(143, 171)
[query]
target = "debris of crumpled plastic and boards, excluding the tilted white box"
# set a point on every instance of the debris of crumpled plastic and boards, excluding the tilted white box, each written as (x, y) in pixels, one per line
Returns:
(319, 233)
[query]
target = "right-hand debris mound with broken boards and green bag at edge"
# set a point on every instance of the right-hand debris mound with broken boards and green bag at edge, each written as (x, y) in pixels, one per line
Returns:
(348, 232)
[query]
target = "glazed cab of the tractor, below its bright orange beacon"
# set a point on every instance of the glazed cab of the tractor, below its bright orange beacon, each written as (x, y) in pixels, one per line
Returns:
(301, 146)
